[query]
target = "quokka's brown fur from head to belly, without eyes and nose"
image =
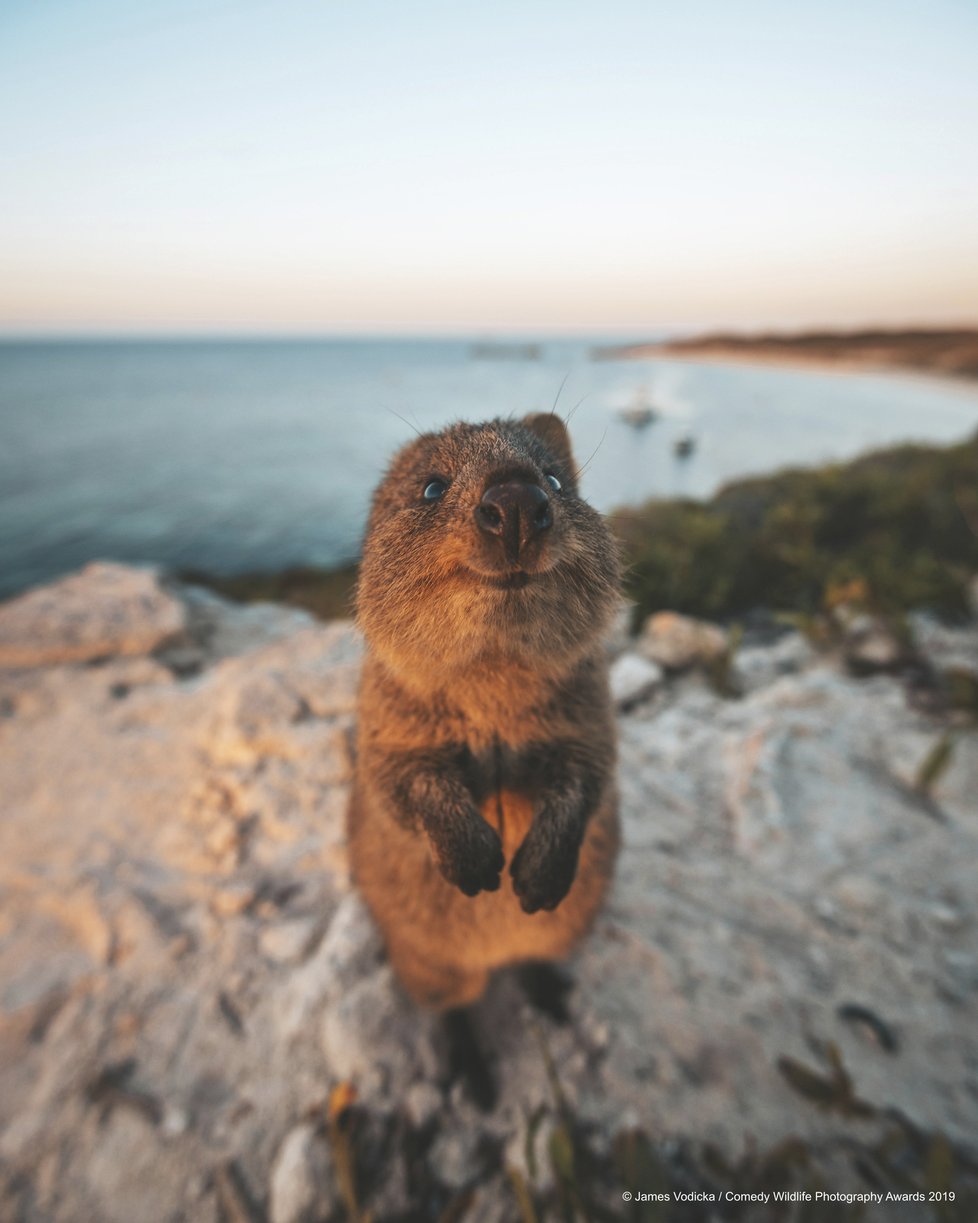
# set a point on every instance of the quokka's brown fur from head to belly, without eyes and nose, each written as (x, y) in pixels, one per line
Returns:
(486, 730)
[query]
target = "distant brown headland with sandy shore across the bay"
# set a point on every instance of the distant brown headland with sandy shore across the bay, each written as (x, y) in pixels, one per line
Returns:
(947, 352)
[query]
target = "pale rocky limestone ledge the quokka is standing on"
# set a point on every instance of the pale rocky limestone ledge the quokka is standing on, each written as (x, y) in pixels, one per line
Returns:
(197, 1021)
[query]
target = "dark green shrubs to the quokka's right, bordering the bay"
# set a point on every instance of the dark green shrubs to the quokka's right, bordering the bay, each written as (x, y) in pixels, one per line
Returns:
(894, 530)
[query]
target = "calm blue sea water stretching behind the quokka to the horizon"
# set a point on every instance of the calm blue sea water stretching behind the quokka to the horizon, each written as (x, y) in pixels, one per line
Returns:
(244, 456)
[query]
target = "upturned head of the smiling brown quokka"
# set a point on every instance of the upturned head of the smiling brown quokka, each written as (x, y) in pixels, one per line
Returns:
(480, 549)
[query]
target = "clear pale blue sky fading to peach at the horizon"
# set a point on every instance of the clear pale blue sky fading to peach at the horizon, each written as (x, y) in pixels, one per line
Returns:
(534, 167)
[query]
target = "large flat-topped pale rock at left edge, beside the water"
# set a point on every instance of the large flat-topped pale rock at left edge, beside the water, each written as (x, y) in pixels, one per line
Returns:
(103, 611)
